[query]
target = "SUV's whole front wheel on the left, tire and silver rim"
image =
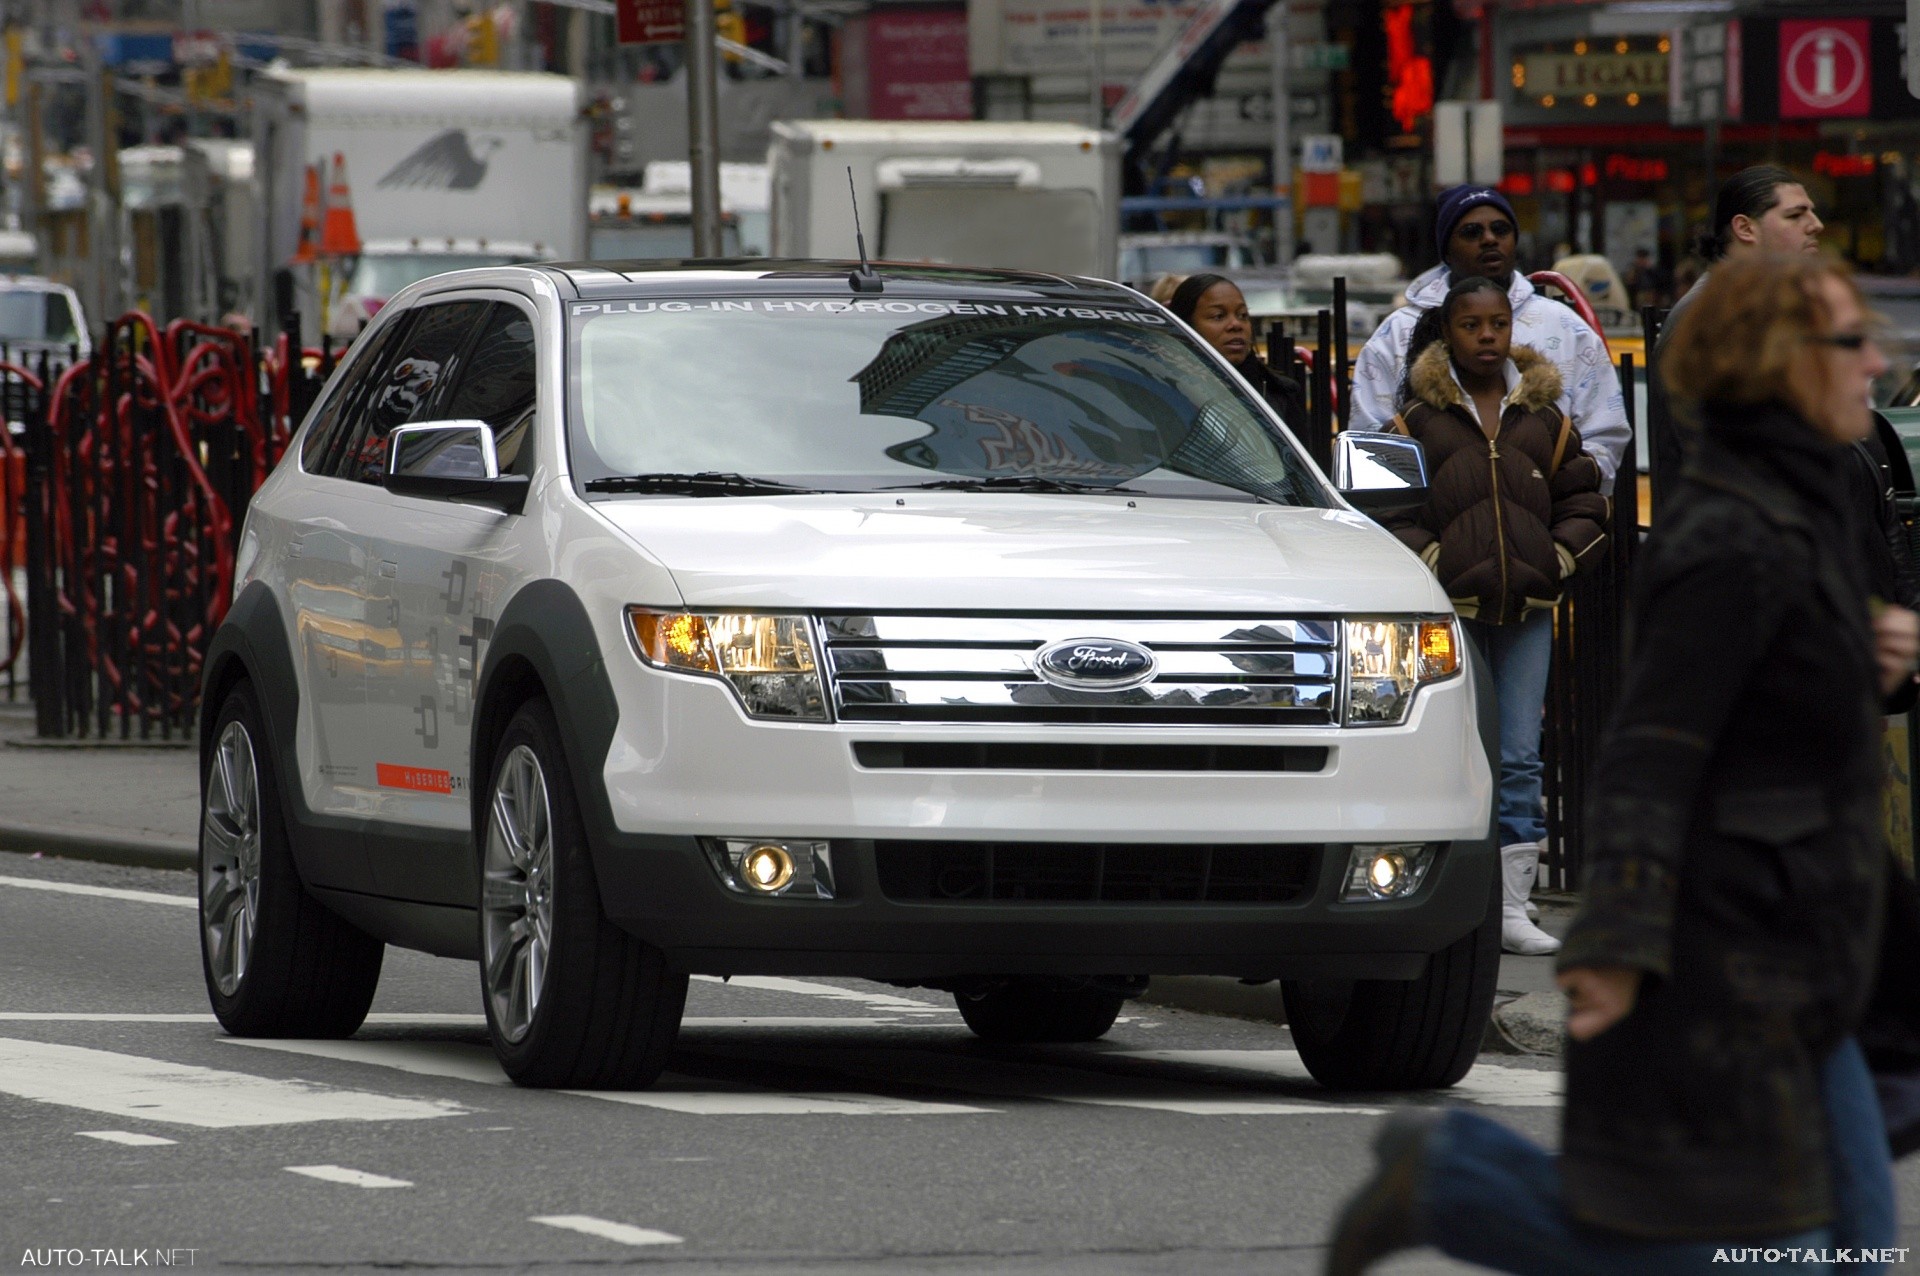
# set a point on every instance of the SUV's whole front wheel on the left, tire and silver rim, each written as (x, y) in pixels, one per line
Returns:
(571, 999)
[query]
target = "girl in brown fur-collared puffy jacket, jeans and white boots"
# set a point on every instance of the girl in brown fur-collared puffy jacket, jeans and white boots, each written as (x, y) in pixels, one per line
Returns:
(1516, 509)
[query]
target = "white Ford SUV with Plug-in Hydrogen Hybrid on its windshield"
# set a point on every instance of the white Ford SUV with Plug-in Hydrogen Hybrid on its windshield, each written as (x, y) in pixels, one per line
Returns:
(953, 628)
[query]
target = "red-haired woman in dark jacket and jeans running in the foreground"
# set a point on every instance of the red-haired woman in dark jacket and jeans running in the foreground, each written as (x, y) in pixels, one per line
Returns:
(1716, 1097)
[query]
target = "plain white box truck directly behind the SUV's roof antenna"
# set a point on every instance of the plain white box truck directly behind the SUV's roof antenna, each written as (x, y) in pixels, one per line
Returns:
(1017, 195)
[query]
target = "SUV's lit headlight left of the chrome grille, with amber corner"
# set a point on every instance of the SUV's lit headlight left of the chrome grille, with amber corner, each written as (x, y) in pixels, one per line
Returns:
(767, 659)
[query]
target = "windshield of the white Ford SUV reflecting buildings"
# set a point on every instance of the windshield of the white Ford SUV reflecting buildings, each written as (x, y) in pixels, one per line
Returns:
(859, 396)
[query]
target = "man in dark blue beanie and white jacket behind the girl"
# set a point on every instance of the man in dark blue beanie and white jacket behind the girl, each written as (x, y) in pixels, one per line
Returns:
(1479, 235)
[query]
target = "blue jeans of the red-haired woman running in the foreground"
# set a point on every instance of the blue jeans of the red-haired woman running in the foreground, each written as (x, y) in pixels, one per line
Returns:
(1491, 1196)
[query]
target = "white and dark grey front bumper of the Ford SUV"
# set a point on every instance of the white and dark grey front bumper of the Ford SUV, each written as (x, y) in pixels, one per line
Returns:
(688, 765)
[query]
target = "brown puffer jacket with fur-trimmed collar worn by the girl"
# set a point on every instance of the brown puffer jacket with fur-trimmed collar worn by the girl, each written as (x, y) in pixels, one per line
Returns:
(1514, 515)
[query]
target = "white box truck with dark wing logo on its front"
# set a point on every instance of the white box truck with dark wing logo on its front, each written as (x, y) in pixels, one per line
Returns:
(446, 170)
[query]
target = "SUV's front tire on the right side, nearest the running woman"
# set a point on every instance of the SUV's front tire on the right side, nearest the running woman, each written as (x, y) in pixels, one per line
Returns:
(1401, 1035)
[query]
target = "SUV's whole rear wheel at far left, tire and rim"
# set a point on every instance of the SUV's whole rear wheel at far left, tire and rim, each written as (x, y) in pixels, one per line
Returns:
(277, 962)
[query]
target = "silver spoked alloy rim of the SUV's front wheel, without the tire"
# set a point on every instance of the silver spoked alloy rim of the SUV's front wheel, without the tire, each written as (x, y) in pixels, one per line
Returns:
(517, 895)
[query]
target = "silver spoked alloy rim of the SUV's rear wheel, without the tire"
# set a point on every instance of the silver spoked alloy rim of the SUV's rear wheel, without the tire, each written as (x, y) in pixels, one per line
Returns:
(229, 859)
